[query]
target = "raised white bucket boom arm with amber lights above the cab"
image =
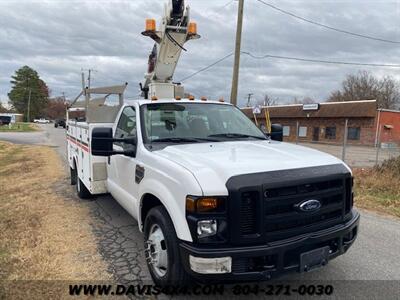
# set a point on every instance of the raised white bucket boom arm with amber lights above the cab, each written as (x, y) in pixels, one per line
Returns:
(175, 31)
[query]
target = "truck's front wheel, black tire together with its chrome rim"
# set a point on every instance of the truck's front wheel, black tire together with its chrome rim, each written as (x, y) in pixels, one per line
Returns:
(169, 270)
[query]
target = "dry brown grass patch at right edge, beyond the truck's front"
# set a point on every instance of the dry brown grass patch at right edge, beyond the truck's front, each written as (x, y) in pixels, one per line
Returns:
(378, 188)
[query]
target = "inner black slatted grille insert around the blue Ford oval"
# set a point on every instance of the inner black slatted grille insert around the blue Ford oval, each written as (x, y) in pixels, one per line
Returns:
(283, 220)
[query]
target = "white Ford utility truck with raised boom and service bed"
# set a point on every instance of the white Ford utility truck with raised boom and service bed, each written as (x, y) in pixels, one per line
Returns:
(215, 197)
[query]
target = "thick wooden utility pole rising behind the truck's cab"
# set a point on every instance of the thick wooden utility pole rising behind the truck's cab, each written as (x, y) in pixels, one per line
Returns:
(235, 79)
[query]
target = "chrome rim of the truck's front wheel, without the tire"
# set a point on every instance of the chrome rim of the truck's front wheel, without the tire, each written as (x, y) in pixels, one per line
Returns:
(156, 251)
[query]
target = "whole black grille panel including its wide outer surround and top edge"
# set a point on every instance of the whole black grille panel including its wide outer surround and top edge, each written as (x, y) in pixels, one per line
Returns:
(269, 206)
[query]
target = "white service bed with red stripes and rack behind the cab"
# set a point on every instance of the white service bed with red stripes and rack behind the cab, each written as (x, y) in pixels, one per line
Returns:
(89, 172)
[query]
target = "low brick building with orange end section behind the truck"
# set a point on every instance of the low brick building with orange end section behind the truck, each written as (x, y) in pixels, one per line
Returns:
(325, 122)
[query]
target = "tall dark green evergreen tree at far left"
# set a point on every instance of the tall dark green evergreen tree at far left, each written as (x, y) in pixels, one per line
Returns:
(26, 81)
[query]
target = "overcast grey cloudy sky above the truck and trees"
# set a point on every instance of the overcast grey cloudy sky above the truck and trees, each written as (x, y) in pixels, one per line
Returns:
(60, 38)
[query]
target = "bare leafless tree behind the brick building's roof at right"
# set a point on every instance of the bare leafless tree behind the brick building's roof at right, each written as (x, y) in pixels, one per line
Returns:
(365, 86)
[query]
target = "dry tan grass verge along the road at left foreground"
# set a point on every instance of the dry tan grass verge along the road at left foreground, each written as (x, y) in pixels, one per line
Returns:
(43, 235)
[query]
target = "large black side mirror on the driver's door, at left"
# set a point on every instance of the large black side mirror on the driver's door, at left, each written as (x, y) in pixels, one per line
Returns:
(102, 143)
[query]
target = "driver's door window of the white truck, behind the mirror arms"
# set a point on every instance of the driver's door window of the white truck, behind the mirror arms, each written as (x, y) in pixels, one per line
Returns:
(126, 127)
